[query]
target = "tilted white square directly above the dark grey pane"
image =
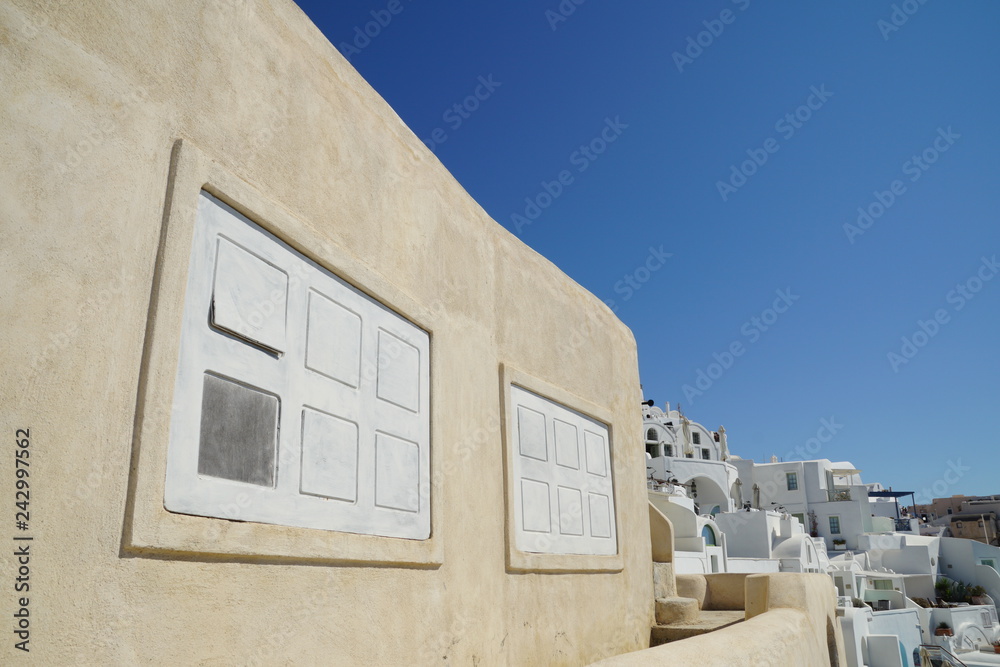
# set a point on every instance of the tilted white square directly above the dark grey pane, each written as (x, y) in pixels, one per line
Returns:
(249, 296)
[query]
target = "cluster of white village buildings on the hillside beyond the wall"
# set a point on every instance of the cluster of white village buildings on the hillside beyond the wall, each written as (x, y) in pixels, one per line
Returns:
(735, 515)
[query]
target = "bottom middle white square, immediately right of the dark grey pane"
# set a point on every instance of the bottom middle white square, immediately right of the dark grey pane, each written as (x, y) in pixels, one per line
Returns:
(329, 456)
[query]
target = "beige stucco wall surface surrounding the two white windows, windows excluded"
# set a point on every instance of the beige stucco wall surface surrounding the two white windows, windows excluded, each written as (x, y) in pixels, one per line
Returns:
(95, 97)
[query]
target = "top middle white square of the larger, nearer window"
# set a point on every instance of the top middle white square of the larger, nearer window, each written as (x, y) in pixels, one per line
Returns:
(333, 340)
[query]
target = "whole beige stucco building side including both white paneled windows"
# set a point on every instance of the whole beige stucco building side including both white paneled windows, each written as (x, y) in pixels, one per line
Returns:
(318, 386)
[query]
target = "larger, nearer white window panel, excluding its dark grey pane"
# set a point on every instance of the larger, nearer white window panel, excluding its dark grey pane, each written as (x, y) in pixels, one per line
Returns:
(341, 357)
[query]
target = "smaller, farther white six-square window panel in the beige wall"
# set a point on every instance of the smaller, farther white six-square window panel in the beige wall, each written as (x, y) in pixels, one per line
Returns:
(560, 506)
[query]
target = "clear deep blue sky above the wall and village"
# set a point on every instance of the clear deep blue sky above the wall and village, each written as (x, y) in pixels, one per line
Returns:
(923, 82)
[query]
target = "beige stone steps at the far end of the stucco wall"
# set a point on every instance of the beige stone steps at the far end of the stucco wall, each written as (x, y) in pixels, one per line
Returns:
(680, 617)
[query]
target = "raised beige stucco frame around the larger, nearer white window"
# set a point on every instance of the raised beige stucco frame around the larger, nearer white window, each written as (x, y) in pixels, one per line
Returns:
(149, 528)
